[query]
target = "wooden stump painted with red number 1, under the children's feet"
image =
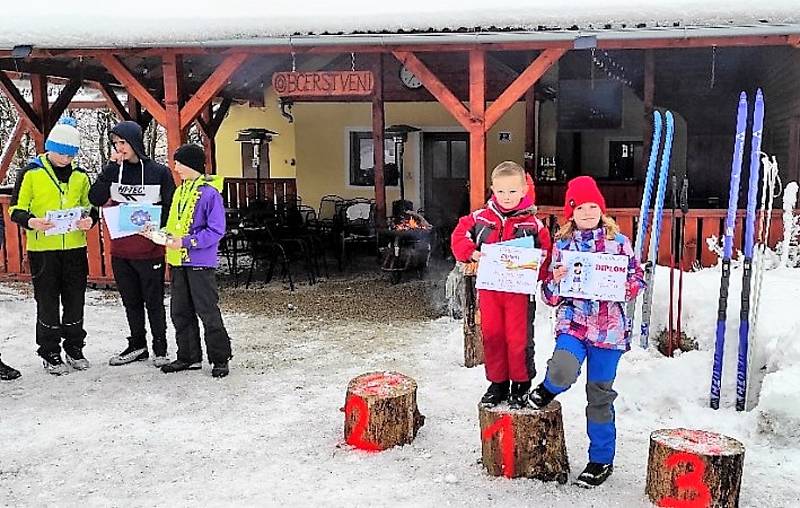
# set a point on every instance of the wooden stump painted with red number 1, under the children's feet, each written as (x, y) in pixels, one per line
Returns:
(524, 442)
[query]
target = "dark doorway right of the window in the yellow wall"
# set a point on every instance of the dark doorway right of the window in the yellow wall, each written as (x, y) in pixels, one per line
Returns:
(445, 158)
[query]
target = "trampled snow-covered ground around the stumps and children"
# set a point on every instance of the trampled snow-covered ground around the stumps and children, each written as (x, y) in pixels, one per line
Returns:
(271, 433)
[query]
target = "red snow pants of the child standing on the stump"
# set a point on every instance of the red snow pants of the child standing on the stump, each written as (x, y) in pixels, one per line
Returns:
(507, 346)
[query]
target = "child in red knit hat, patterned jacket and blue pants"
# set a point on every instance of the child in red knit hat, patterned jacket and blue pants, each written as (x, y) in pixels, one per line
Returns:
(590, 330)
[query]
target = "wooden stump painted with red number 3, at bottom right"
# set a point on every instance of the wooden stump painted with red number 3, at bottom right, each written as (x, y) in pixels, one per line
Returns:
(694, 468)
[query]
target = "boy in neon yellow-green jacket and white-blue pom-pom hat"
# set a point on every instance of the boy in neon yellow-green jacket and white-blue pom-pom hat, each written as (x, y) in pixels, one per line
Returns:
(51, 182)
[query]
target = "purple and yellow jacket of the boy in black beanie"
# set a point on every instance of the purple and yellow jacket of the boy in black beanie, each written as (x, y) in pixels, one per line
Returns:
(201, 240)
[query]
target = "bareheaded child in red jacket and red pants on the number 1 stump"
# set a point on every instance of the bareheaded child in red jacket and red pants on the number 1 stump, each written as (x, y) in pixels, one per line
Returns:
(506, 318)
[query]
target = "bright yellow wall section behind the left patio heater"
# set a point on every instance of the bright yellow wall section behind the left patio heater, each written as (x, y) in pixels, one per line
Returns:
(282, 148)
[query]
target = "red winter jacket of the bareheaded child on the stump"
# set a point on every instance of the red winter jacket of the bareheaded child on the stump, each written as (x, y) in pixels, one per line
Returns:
(490, 225)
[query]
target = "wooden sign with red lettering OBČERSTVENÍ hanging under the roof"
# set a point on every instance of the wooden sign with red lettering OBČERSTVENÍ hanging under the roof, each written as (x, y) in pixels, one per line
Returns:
(323, 83)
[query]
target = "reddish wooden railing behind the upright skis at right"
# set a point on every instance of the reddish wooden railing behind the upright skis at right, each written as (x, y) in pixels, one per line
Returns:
(700, 224)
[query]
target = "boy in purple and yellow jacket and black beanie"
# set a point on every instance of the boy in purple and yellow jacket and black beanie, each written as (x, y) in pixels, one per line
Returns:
(195, 227)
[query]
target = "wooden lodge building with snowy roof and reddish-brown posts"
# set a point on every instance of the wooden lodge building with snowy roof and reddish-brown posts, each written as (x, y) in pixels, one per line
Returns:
(566, 90)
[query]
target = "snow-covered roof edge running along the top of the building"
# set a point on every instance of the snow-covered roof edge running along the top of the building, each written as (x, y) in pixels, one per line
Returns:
(155, 23)
